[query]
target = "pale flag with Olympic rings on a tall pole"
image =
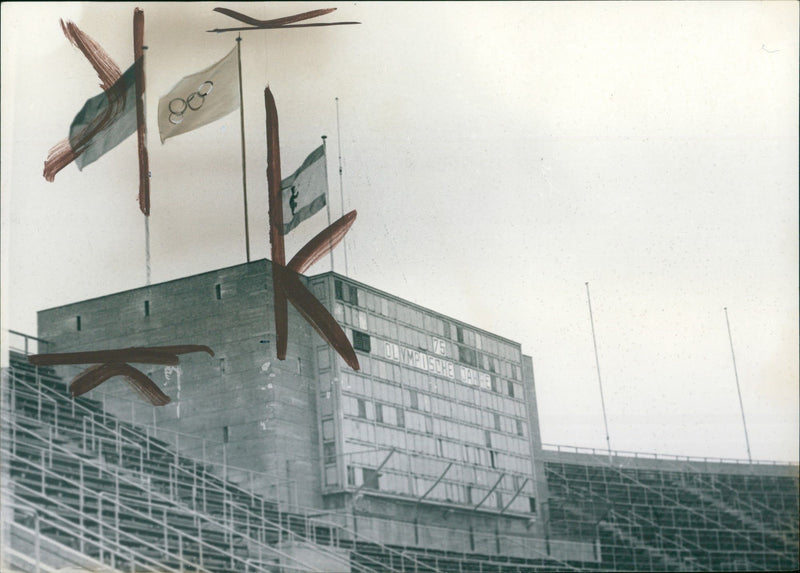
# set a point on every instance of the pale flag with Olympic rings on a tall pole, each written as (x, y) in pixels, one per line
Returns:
(200, 98)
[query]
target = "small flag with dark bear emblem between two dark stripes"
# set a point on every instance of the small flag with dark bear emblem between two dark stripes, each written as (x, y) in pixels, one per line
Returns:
(304, 192)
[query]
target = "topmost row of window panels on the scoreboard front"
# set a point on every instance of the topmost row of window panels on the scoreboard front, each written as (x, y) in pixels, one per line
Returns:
(365, 300)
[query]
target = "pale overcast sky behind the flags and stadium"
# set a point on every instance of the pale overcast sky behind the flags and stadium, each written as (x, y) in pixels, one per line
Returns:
(500, 155)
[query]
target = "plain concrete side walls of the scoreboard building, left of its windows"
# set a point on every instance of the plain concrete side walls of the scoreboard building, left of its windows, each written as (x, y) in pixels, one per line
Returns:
(264, 407)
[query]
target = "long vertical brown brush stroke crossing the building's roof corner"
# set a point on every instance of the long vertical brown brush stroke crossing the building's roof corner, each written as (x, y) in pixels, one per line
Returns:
(276, 224)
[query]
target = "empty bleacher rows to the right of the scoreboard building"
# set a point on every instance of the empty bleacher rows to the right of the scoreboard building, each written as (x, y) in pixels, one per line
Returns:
(690, 519)
